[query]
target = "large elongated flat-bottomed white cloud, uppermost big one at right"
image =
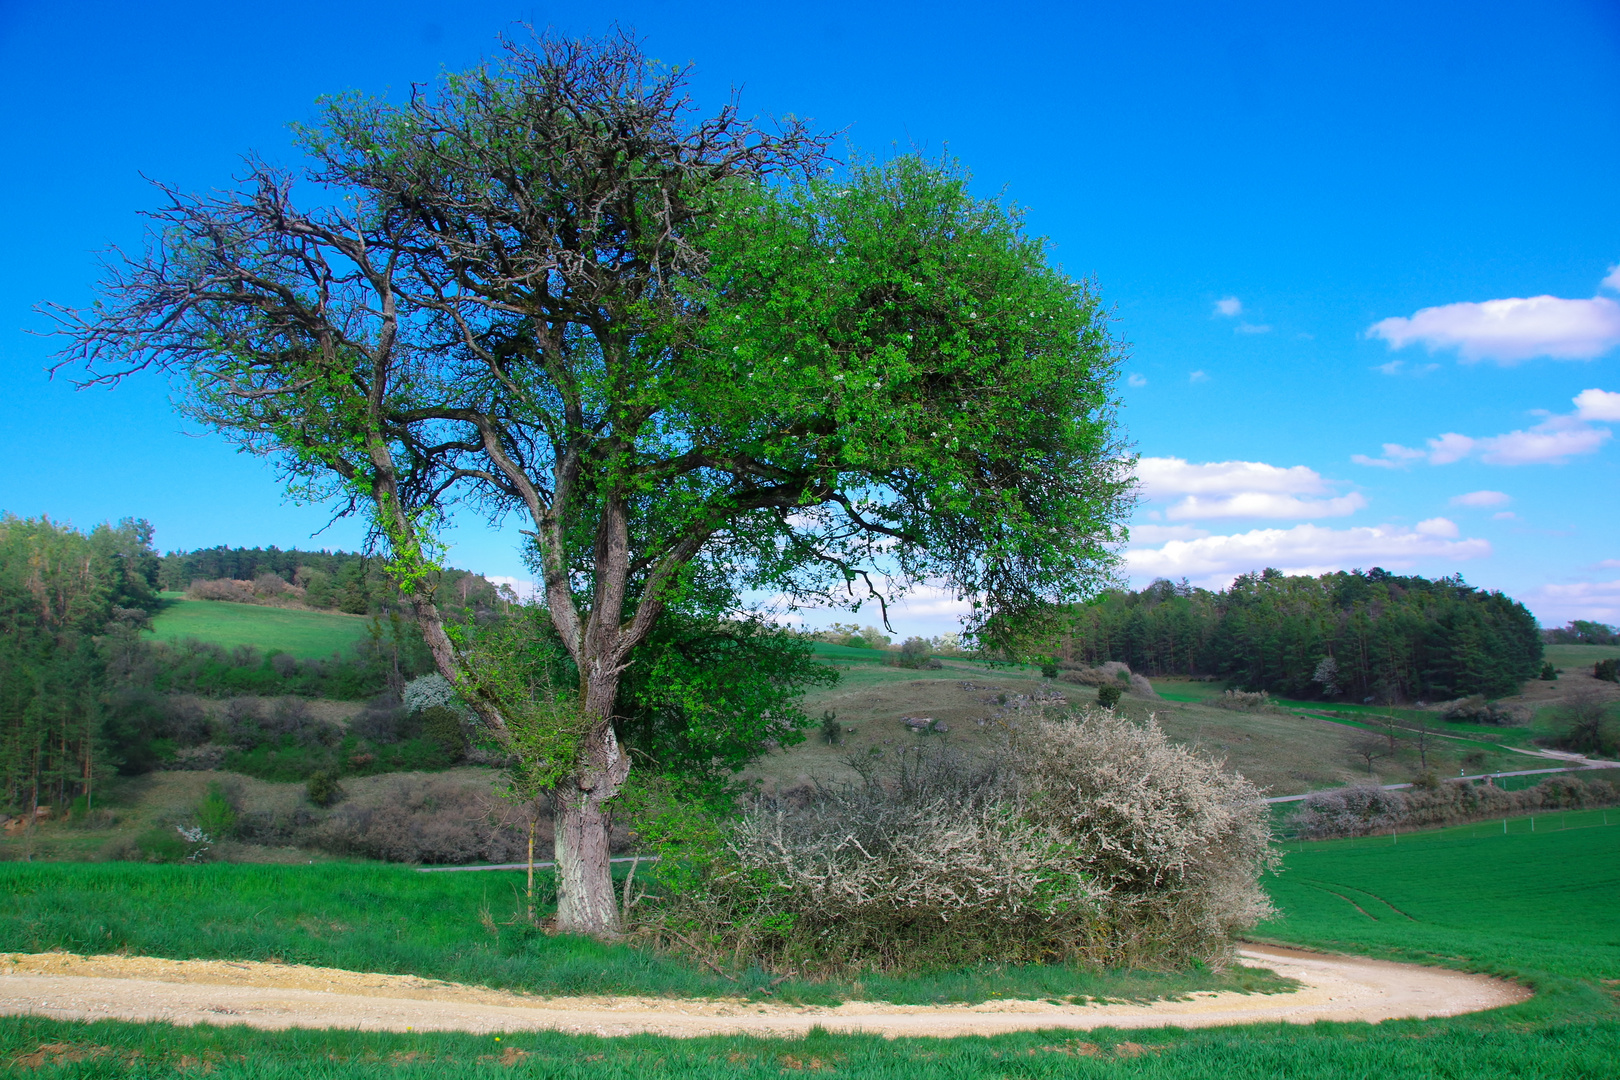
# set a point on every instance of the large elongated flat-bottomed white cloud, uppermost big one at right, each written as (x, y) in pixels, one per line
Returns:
(1511, 331)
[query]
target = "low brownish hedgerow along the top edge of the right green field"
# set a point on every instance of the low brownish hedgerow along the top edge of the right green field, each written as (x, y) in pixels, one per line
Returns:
(1365, 810)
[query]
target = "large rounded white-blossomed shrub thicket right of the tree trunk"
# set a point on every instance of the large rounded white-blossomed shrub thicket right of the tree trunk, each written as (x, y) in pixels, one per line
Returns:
(1086, 840)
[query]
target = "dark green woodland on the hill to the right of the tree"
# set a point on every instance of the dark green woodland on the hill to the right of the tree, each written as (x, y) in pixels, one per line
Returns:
(1362, 636)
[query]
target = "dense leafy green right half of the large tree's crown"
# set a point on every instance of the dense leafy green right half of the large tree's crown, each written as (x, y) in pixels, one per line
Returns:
(963, 385)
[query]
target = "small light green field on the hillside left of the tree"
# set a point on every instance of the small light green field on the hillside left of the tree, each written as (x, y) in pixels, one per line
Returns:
(304, 634)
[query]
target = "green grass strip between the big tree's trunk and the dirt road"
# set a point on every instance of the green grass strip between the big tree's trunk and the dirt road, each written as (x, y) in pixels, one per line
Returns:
(464, 929)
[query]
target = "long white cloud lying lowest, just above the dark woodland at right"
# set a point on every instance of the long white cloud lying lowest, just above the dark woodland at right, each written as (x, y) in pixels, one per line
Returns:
(1302, 550)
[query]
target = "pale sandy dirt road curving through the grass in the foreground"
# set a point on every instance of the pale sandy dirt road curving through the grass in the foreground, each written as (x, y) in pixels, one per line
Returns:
(284, 997)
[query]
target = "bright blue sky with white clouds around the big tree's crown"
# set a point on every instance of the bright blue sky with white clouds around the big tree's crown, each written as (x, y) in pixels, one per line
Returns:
(1313, 224)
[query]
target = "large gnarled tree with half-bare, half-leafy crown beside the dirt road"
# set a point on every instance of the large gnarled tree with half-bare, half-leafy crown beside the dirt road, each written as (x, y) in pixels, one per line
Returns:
(547, 289)
